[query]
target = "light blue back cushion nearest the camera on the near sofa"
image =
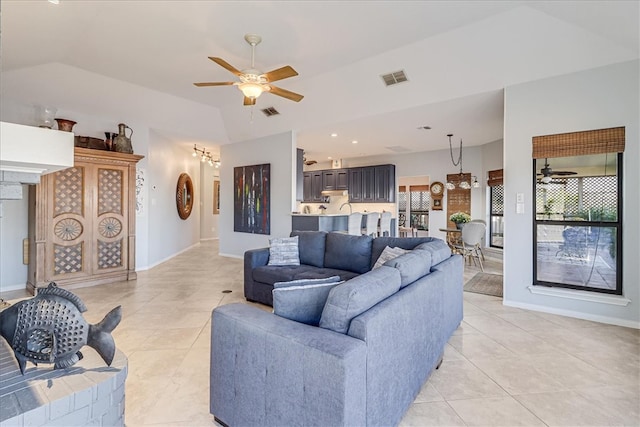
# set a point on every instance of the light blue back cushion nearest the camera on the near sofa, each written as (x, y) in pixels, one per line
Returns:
(355, 296)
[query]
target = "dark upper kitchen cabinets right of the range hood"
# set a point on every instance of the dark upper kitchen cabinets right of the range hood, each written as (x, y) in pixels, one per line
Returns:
(372, 184)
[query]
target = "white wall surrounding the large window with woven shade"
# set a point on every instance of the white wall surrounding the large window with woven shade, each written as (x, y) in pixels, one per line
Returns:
(593, 99)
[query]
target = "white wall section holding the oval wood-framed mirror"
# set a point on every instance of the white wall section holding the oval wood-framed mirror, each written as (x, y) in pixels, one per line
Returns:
(168, 233)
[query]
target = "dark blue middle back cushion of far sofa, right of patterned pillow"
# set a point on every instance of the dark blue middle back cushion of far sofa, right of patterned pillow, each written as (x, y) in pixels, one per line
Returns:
(347, 252)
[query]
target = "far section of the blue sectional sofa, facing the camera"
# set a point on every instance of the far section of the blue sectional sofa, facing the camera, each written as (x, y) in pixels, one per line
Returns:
(322, 255)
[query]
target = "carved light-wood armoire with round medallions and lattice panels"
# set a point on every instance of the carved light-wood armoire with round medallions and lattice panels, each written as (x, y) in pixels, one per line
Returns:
(82, 222)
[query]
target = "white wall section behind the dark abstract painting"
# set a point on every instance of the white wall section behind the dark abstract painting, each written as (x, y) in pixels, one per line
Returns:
(278, 150)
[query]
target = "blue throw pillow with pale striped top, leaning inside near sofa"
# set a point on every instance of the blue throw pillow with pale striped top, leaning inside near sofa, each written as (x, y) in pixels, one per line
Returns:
(303, 300)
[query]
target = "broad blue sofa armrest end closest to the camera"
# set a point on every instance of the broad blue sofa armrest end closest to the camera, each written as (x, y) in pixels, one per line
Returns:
(267, 370)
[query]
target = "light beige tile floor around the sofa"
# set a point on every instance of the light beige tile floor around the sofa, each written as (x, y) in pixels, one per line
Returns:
(503, 367)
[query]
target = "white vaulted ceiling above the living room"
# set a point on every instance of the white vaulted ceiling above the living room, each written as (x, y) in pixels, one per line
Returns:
(108, 56)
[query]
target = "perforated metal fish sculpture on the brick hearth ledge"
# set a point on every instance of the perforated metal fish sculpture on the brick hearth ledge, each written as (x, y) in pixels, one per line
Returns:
(50, 328)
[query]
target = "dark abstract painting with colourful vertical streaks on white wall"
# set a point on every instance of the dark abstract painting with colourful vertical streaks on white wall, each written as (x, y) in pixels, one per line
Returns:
(252, 199)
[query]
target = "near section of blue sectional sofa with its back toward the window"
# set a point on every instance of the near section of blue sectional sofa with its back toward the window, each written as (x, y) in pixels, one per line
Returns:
(380, 336)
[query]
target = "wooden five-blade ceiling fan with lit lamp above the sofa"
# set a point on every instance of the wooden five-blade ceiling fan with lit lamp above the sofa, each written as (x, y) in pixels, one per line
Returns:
(254, 82)
